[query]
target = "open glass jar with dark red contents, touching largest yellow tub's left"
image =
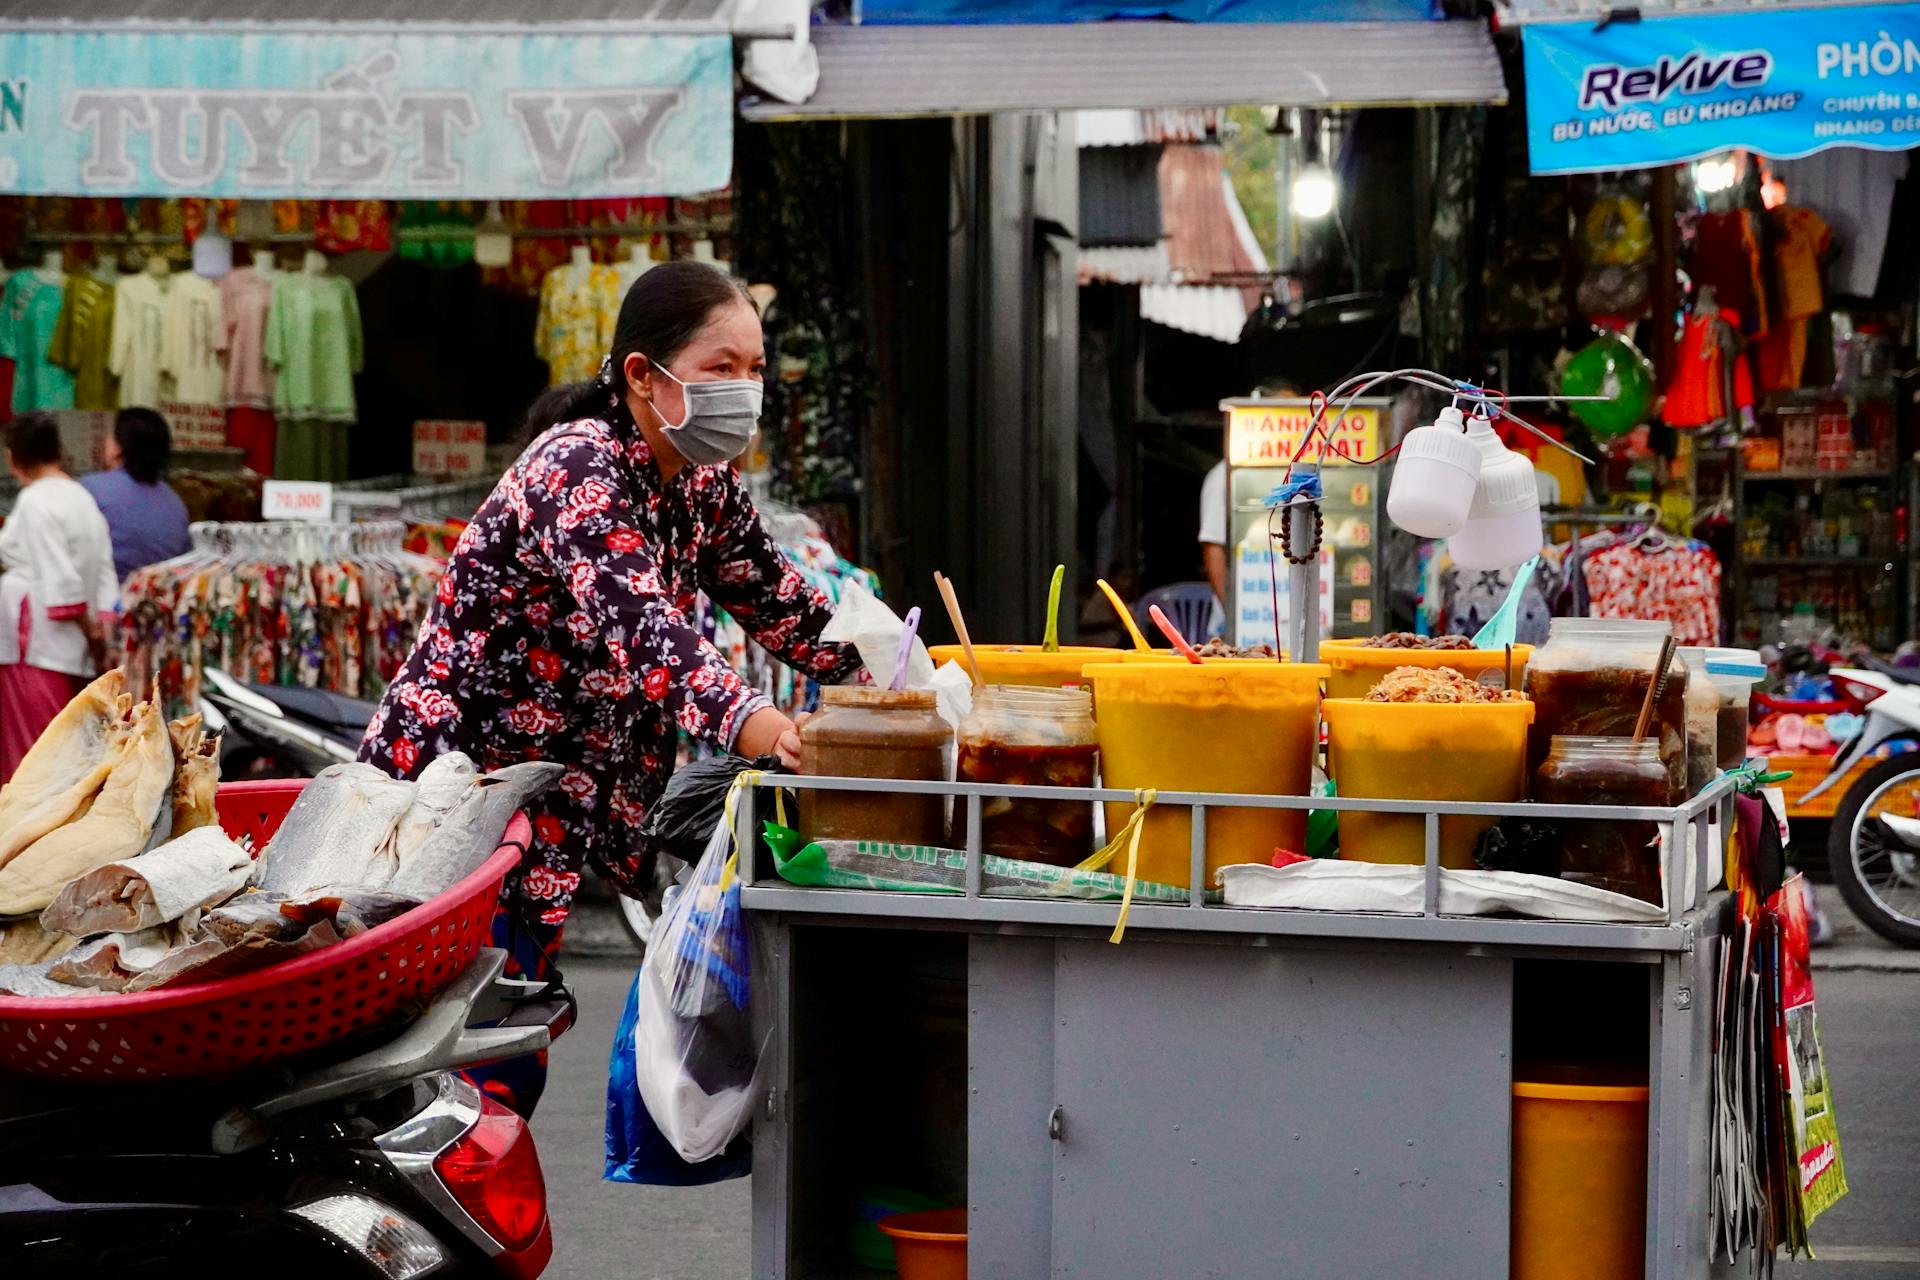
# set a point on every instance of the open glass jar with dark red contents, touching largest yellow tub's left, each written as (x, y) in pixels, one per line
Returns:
(1032, 738)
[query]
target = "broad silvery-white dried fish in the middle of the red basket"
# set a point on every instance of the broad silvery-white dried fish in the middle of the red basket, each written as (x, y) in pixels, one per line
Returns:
(337, 834)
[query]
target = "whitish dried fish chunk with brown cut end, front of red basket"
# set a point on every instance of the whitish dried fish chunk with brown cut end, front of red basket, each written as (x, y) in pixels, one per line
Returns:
(201, 868)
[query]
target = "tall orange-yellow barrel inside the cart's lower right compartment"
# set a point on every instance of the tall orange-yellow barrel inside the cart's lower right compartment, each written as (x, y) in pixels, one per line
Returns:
(1579, 1181)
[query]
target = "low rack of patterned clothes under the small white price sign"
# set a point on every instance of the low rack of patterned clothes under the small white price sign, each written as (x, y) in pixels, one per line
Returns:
(324, 607)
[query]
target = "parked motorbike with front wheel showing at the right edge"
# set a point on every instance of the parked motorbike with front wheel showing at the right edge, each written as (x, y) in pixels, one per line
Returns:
(1875, 838)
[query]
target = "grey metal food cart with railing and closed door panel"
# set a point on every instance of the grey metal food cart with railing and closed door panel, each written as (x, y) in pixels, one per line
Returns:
(1228, 1093)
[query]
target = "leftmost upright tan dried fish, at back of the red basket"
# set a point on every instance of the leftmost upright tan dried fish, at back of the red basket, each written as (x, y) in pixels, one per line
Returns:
(64, 769)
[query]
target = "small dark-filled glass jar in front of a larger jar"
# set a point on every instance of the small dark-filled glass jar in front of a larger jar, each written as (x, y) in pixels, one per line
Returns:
(1623, 857)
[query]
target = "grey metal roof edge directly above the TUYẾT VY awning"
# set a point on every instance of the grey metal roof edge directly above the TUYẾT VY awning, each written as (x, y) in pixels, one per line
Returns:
(683, 16)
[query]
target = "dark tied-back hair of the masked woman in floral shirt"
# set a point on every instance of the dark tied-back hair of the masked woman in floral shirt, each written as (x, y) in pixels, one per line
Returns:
(660, 318)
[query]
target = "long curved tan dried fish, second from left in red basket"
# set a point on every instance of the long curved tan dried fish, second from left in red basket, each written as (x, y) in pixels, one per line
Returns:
(118, 824)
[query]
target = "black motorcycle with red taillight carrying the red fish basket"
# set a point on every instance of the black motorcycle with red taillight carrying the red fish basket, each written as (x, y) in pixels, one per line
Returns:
(381, 1162)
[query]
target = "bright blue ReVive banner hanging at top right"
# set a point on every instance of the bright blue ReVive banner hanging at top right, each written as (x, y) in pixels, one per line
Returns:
(1671, 89)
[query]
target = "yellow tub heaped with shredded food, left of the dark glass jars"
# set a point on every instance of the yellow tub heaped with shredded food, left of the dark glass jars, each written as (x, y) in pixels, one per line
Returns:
(1424, 751)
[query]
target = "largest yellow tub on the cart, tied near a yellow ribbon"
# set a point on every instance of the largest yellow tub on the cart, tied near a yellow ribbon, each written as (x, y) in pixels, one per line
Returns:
(1245, 728)
